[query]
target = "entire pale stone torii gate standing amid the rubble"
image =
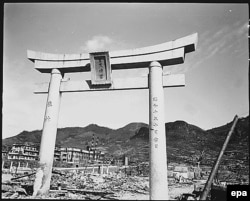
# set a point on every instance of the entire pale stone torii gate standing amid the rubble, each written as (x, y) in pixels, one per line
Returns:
(101, 65)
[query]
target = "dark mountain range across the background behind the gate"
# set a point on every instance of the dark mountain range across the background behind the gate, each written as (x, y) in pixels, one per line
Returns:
(184, 141)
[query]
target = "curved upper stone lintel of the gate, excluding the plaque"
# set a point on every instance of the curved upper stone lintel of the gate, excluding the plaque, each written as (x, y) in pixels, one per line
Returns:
(169, 53)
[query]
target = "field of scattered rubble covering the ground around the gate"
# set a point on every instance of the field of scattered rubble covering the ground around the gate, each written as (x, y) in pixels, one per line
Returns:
(117, 185)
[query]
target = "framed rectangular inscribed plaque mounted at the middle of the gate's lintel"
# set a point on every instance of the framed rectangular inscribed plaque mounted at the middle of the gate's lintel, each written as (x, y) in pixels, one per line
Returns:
(100, 68)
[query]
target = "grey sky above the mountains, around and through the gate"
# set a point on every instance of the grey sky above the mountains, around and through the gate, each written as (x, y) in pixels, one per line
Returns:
(216, 74)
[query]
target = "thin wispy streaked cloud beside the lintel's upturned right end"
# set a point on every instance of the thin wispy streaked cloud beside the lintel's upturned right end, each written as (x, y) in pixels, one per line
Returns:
(227, 39)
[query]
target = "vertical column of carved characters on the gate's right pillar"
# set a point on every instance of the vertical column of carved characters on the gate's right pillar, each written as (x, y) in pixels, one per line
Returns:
(155, 121)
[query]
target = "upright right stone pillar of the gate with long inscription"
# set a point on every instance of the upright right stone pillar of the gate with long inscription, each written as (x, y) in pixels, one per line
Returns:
(158, 155)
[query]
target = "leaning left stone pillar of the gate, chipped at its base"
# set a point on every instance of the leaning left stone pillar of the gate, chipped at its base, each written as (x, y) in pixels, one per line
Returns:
(44, 171)
